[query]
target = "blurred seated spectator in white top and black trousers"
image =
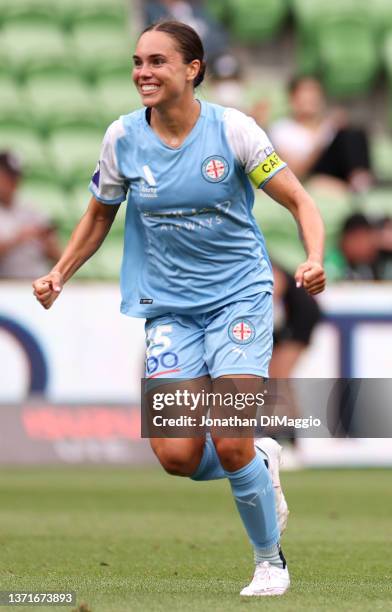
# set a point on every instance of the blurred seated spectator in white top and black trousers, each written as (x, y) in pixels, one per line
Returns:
(317, 142)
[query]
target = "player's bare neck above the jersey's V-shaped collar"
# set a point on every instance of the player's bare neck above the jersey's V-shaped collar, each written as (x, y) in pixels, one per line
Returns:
(174, 123)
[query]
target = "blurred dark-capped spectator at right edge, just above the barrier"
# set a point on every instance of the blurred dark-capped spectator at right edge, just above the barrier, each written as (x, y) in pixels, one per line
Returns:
(360, 255)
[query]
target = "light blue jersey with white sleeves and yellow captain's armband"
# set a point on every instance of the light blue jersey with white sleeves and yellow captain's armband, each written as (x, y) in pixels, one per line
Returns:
(192, 244)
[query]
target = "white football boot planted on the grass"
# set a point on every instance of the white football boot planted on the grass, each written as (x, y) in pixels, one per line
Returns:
(268, 580)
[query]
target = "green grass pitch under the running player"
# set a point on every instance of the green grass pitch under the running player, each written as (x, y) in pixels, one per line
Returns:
(140, 540)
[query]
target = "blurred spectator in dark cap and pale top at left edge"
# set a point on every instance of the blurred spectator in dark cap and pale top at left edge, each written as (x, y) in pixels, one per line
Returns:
(27, 239)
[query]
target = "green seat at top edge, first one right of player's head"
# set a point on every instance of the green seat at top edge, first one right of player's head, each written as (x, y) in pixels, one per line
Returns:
(254, 21)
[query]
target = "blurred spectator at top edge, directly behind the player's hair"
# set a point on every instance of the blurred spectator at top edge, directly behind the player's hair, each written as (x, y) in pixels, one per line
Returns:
(214, 37)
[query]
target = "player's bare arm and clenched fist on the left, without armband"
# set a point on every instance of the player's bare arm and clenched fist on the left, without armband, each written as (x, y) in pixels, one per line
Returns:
(85, 240)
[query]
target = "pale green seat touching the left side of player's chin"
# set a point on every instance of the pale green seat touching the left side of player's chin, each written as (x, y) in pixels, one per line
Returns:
(116, 96)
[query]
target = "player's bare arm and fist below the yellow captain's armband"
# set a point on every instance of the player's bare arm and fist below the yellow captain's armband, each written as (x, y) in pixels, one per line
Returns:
(286, 189)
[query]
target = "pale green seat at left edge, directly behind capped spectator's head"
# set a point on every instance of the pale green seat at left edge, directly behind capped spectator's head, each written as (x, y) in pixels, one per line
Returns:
(24, 141)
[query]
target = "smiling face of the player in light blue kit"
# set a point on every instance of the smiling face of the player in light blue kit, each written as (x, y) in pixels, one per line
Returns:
(159, 73)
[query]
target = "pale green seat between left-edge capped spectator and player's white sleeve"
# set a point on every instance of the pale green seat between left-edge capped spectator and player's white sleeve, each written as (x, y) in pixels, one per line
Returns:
(74, 151)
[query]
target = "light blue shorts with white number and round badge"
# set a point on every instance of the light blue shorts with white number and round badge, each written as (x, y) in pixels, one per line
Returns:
(235, 339)
